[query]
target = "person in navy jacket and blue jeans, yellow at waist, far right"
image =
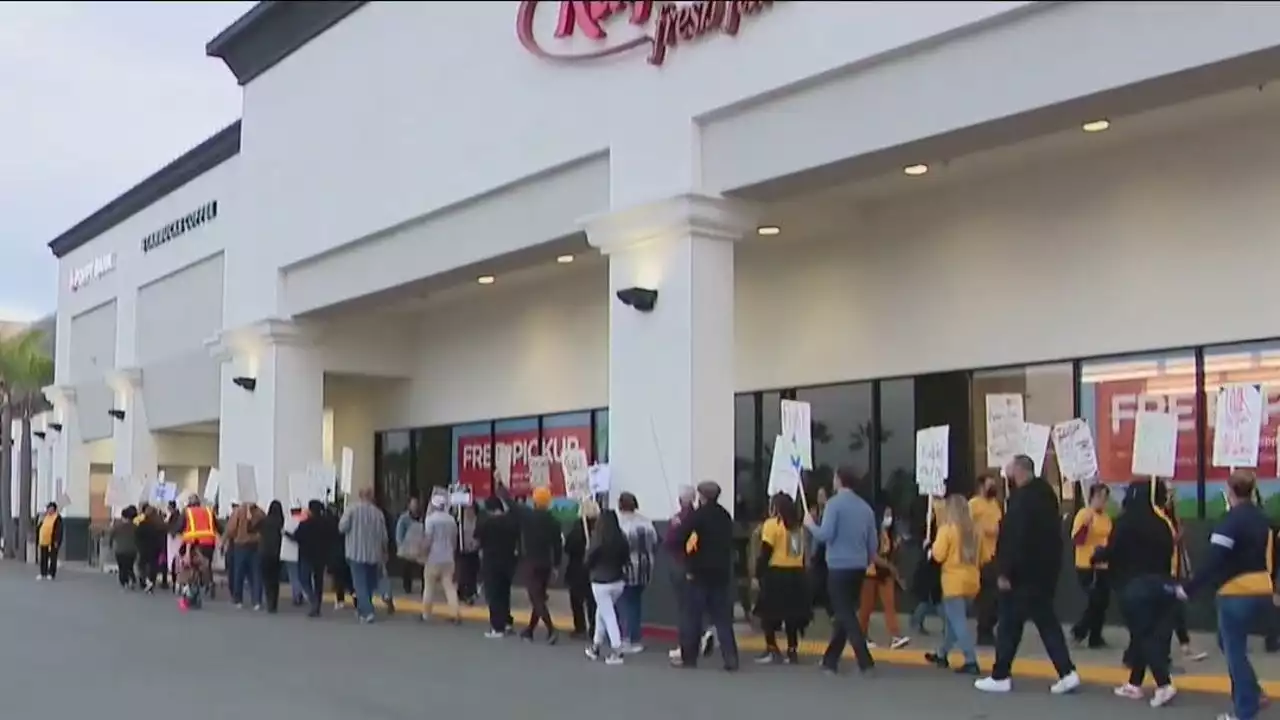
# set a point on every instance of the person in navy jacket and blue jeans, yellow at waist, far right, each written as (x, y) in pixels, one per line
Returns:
(1240, 568)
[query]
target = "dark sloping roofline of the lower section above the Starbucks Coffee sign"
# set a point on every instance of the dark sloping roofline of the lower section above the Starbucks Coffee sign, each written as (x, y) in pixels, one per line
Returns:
(196, 162)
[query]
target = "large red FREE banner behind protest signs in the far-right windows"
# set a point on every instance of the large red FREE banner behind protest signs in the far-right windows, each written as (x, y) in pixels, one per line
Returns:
(1117, 405)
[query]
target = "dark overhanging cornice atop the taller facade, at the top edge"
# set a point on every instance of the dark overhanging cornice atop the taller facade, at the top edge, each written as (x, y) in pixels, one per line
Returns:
(272, 31)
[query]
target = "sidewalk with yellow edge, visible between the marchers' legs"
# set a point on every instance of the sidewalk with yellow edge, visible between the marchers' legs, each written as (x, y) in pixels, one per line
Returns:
(1096, 667)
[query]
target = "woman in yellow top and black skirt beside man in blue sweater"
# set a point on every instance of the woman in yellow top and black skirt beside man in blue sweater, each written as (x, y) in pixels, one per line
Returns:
(784, 601)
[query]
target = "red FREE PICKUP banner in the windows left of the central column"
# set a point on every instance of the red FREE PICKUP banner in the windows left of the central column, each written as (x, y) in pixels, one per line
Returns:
(476, 458)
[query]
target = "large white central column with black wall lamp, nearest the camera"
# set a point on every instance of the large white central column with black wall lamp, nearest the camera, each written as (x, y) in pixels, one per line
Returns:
(671, 371)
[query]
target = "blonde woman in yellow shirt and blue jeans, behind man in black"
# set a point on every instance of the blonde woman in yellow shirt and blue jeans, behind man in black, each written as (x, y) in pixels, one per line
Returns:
(958, 550)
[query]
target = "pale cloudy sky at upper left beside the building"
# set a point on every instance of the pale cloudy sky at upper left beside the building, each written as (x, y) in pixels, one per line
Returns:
(94, 98)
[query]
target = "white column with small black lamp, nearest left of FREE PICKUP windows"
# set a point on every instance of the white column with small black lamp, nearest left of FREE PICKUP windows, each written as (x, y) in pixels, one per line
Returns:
(278, 426)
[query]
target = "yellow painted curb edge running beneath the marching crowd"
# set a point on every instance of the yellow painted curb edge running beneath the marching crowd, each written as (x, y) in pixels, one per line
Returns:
(1023, 668)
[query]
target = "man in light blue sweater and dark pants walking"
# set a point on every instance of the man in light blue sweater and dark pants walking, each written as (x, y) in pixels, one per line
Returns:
(851, 540)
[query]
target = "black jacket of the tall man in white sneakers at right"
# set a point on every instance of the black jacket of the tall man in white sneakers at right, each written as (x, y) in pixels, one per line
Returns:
(1030, 546)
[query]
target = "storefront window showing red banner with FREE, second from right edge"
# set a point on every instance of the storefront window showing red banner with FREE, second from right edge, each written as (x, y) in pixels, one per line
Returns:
(1114, 390)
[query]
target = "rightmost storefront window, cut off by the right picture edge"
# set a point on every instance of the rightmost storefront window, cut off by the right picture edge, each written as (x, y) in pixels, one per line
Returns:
(1254, 364)
